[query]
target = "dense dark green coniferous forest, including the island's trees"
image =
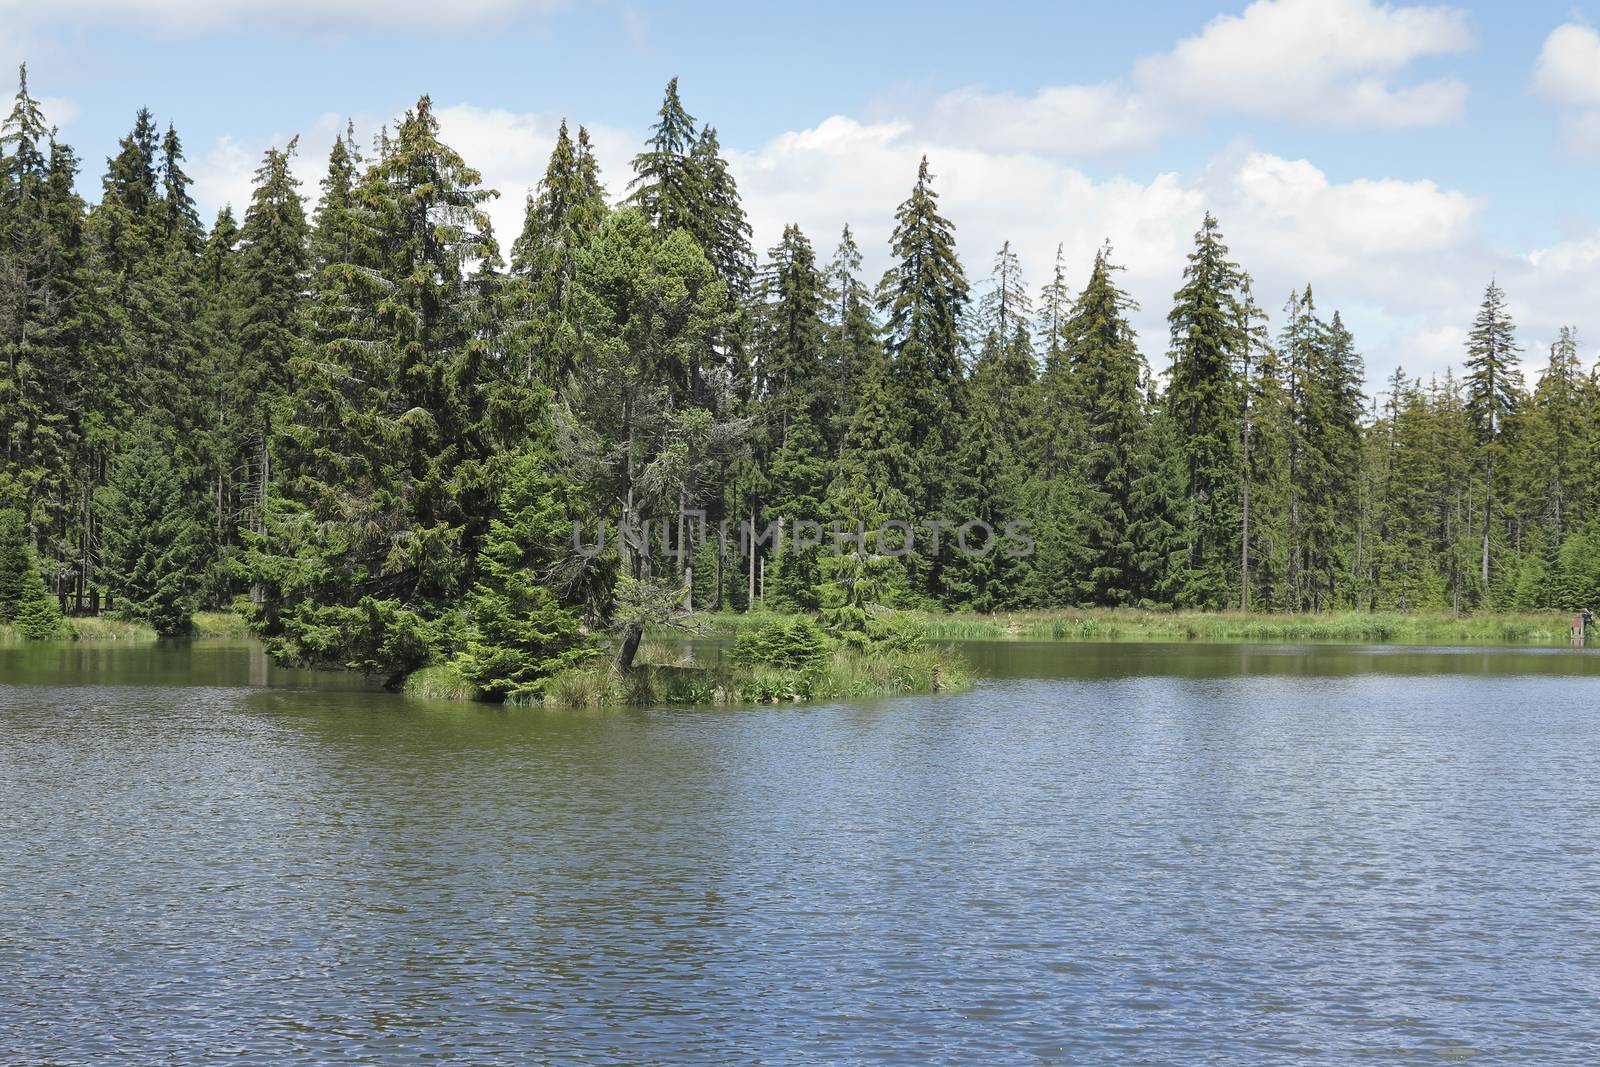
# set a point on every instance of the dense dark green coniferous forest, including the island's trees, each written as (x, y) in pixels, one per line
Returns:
(372, 425)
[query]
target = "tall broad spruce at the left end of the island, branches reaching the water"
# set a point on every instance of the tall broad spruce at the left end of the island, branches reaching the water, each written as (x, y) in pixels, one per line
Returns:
(398, 417)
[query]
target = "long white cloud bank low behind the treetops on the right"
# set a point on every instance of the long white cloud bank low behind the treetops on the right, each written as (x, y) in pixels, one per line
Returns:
(1406, 262)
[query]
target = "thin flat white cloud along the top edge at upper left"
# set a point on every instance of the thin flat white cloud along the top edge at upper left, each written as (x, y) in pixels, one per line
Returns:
(193, 17)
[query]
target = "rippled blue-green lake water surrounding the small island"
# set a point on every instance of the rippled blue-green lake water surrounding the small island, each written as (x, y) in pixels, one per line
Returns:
(1105, 855)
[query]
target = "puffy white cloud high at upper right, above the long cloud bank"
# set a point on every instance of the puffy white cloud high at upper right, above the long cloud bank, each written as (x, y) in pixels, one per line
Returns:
(1319, 63)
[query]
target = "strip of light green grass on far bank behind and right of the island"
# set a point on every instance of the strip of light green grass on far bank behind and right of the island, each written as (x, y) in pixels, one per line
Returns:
(1129, 625)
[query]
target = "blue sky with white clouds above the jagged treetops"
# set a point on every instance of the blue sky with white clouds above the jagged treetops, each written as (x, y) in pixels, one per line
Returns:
(1396, 158)
